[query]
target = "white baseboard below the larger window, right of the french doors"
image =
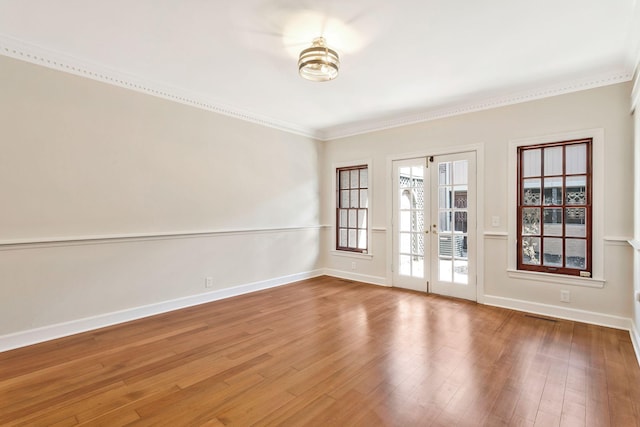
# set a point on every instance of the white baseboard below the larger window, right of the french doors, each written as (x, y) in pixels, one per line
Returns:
(583, 316)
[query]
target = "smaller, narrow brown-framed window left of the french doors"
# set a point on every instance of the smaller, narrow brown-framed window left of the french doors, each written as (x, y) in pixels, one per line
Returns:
(352, 213)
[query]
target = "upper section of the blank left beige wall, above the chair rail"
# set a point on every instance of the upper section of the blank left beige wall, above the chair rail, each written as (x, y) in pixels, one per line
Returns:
(83, 158)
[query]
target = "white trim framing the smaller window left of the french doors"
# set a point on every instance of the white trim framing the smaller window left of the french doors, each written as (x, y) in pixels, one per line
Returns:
(334, 243)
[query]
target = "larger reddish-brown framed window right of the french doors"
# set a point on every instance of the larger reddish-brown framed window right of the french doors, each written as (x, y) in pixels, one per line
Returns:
(554, 208)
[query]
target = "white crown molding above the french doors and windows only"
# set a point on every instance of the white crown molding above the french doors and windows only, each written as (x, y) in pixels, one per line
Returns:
(478, 104)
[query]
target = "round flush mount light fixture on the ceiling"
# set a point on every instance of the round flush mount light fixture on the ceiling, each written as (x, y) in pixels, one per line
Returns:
(318, 63)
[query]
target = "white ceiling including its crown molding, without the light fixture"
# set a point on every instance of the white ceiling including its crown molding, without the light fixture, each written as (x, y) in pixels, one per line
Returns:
(401, 62)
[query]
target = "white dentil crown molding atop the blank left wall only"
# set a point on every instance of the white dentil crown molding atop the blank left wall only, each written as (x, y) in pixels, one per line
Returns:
(18, 49)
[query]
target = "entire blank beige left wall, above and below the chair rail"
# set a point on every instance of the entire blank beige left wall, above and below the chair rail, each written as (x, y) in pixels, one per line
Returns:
(82, 159)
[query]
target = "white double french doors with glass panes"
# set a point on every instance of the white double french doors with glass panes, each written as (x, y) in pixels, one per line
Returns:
(433, 224)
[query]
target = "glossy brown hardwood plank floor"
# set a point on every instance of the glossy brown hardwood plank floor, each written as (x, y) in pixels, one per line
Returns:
(328, 352)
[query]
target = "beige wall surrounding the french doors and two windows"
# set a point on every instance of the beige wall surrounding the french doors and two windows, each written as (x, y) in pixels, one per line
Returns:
(492, 130)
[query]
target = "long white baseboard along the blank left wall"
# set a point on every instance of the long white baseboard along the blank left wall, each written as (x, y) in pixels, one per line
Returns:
(46, 333)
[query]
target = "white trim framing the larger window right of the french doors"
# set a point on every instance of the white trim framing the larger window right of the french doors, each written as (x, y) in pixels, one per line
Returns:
(597, 226)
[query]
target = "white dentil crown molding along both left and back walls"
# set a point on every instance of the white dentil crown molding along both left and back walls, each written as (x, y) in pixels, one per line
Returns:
(14, 48)
